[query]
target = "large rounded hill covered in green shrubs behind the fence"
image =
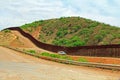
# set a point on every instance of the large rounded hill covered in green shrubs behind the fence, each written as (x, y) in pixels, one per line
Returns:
(74, 31)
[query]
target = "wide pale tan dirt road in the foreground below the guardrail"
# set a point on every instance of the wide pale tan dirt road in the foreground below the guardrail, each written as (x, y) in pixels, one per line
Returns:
(17, 66)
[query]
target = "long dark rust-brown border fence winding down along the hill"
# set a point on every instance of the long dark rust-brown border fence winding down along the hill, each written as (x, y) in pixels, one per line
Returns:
(96, 50)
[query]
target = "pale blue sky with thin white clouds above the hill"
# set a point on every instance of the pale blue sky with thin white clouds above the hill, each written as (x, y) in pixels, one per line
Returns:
(18, 12)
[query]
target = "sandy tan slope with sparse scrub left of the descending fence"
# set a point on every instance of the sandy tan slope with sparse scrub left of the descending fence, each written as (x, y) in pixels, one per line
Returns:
(15, 39)
